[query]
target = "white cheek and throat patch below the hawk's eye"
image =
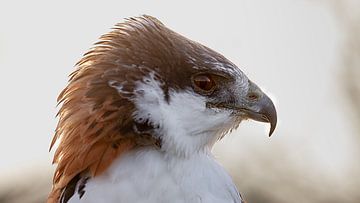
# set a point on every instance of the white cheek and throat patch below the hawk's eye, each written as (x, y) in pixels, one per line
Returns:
(186, 125)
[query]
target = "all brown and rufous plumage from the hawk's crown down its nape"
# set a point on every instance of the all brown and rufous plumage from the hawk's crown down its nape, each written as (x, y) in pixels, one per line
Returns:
(96, 121)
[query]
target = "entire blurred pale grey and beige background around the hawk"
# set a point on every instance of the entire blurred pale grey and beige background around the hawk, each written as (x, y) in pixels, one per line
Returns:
(304, 53)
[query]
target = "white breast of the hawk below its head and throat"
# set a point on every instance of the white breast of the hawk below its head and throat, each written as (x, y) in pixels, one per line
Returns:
(149, 175)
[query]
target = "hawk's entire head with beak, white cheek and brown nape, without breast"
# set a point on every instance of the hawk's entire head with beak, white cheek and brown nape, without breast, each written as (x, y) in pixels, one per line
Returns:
(145, 84)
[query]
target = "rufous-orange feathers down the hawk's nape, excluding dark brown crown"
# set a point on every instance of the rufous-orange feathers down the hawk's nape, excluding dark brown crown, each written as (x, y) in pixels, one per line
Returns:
(95, 121)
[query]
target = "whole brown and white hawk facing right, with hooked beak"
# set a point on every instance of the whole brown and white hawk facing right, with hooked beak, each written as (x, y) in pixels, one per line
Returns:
(140, 115)
